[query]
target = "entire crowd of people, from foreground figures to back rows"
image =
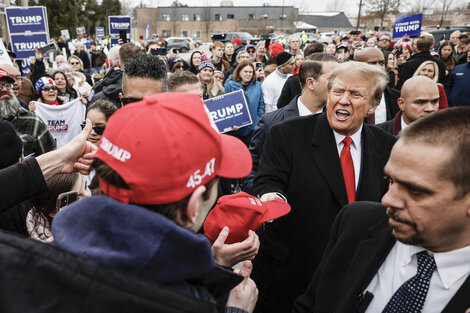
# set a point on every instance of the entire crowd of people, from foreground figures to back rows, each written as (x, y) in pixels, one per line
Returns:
(114, 159)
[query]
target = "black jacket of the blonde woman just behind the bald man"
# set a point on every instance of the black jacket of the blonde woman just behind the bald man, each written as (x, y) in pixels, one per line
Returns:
(407, 69)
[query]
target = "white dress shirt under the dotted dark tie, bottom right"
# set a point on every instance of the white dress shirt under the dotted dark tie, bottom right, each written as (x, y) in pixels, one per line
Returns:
(452, 269)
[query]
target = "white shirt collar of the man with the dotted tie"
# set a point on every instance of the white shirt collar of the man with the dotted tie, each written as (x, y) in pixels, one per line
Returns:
(451, 266)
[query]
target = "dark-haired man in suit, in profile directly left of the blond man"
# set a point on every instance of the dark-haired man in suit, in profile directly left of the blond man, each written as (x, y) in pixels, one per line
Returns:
(314, 75)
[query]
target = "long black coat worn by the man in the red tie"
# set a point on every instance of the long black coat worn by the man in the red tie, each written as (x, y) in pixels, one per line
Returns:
(300, 160)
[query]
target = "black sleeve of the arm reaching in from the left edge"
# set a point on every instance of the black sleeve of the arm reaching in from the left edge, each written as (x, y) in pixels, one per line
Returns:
(20, 182)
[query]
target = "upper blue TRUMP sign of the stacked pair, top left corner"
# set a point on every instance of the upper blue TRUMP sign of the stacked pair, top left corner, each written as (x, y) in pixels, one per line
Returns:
(29, 19)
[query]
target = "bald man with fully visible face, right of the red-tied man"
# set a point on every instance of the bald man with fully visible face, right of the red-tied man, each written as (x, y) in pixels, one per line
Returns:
(419, 97)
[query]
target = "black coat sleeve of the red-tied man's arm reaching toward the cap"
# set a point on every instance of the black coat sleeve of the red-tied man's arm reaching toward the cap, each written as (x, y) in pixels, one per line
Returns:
(273, 168)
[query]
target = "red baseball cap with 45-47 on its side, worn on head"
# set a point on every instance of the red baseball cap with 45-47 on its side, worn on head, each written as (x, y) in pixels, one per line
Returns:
(164, 147)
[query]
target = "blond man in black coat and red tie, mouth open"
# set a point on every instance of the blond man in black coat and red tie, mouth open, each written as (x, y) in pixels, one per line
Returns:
(312, 162)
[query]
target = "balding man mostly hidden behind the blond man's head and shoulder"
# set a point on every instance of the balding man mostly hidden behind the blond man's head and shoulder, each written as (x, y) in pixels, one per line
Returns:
(387, 107)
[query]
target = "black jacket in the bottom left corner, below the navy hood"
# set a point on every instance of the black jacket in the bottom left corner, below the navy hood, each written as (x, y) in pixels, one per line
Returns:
(38, 277)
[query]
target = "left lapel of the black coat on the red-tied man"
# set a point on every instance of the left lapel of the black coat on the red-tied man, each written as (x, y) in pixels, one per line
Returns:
(327, 159)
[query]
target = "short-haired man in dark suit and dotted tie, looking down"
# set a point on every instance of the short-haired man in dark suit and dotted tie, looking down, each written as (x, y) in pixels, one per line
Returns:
(375, 250)
